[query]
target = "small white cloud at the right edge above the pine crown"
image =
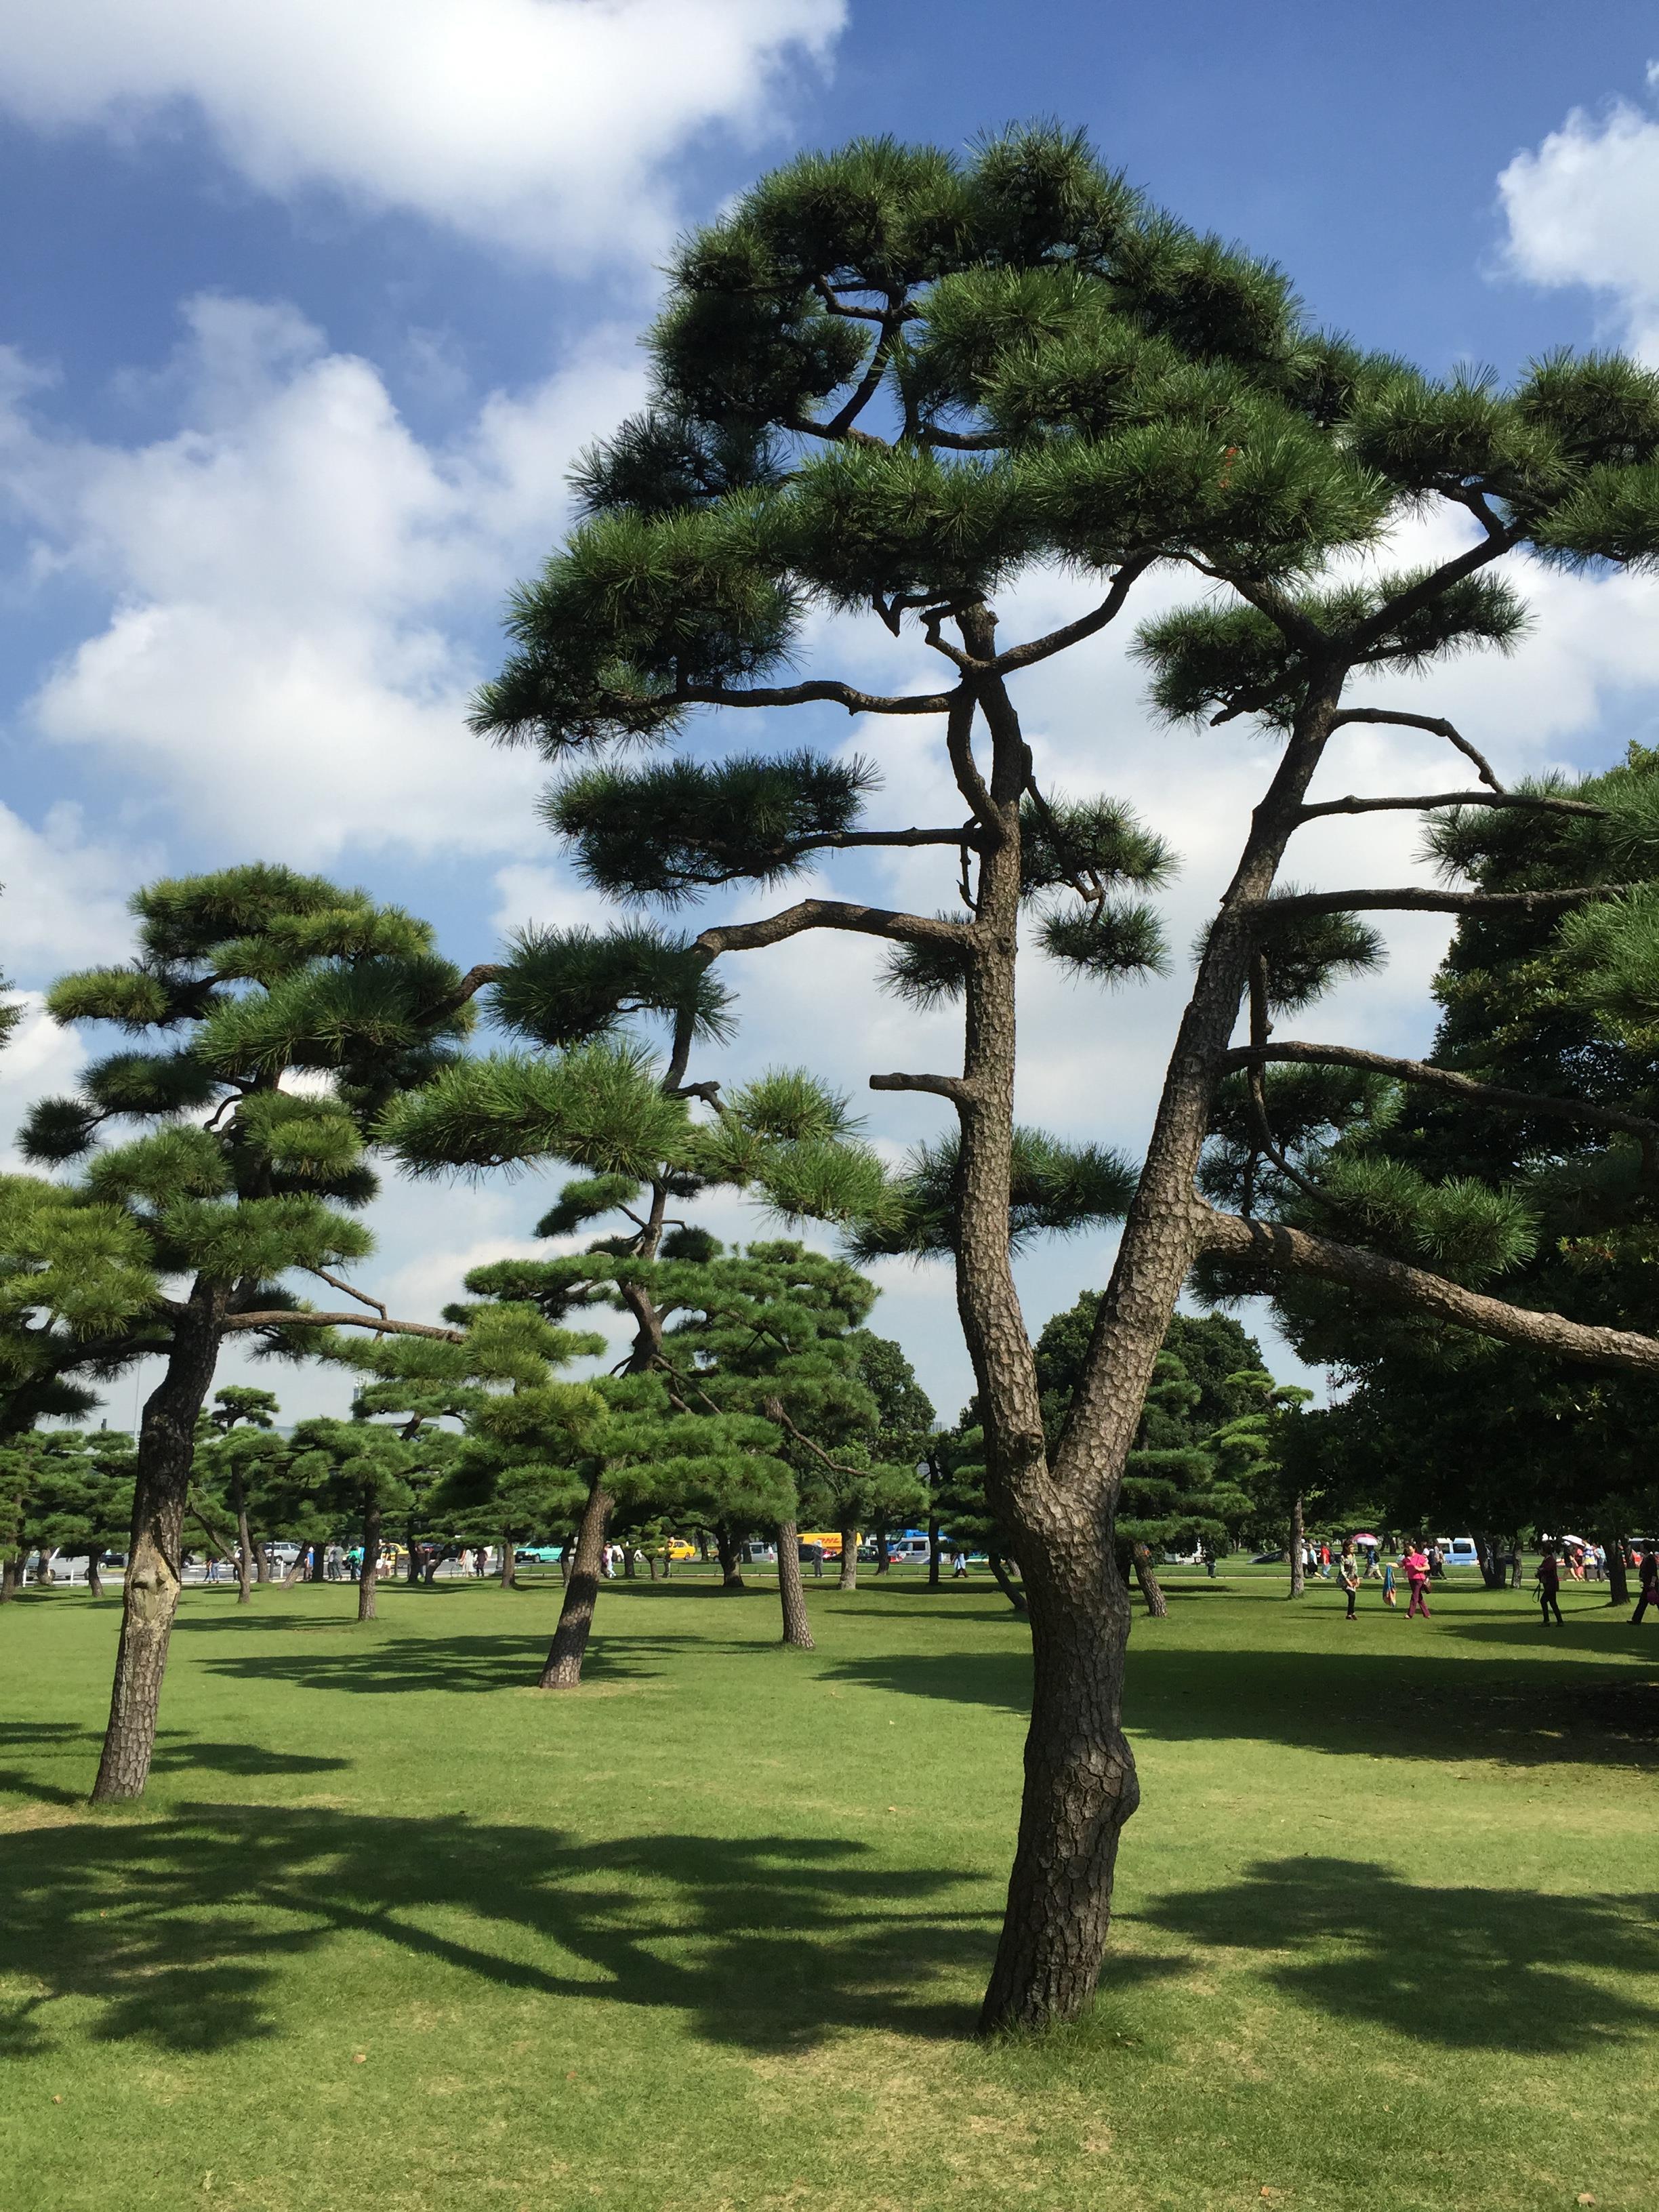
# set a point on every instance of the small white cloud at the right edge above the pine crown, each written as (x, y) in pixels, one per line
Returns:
(1585, 211)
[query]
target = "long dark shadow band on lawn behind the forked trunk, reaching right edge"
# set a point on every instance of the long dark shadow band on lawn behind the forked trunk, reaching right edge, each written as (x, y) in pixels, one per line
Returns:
(1379, 1707)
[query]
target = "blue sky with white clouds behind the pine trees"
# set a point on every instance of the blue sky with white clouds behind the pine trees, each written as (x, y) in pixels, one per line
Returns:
(304, 313)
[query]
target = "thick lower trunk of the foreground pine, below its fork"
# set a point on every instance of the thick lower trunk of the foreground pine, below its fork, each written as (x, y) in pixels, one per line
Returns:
(1078, 1791)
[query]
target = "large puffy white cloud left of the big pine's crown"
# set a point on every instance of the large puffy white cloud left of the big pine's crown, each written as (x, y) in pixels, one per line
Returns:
(293, 587)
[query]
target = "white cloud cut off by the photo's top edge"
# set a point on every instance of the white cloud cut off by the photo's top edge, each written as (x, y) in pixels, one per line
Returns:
(539, 125)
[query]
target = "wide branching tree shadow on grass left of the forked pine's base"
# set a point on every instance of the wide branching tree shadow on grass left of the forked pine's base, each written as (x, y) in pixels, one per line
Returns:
(182, 1930)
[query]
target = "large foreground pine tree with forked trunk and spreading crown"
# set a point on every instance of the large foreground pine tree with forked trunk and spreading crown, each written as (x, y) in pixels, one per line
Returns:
(893, 382)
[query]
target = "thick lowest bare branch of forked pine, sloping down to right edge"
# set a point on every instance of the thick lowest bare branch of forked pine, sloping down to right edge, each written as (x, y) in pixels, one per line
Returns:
(1397, 1284)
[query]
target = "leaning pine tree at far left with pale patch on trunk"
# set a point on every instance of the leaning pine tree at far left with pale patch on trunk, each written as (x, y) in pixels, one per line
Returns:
(240, 1182)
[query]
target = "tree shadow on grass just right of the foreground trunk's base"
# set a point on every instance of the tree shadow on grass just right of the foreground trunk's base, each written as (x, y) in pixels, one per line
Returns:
(1472, 1970)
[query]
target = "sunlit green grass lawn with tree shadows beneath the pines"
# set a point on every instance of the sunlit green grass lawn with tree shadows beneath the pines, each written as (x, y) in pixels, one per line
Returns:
(397, 1930)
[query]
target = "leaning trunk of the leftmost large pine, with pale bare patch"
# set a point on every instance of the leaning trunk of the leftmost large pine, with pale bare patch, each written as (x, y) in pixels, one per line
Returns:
(154, 1565)
